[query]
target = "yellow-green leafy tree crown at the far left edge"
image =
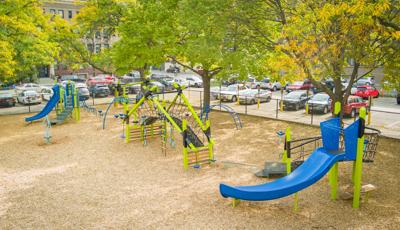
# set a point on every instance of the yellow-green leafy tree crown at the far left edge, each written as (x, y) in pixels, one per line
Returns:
(25, 41)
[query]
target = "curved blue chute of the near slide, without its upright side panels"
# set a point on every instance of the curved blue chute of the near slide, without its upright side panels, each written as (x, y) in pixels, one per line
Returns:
(312, 170)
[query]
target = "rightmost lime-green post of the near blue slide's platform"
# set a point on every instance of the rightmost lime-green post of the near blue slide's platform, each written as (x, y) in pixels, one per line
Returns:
(358, 163)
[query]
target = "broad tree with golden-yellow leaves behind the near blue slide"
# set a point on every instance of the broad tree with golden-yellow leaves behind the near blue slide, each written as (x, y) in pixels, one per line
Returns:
(320, 38)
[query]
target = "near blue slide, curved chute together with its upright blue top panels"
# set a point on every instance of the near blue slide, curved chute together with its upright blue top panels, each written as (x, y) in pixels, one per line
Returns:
(312, 170)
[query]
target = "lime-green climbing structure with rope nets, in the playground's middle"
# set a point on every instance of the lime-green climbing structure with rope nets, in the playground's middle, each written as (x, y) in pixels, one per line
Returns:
(149, 117)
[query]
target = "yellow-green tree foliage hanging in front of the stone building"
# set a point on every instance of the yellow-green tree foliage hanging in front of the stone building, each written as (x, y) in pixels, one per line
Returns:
(96, 18)
